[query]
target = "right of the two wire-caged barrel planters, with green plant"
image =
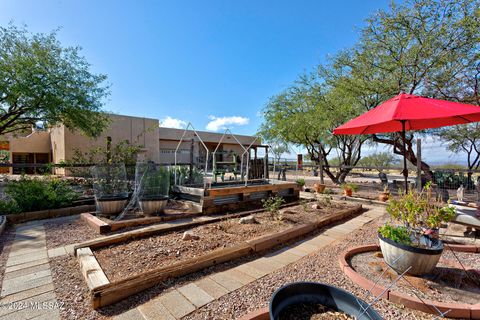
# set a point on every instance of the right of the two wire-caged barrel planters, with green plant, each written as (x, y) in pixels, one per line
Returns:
(154, 185)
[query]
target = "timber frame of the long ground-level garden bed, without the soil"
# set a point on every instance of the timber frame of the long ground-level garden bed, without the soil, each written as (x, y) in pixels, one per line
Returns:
(103, 294)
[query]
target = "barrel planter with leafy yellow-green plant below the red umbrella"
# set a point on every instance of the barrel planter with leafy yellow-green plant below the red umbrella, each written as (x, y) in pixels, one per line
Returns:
(408, 246)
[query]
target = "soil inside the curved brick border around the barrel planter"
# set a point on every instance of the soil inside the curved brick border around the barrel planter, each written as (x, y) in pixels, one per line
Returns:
(447, 283)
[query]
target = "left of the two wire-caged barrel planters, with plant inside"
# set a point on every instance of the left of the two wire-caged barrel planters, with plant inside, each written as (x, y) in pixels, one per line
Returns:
(110, 188)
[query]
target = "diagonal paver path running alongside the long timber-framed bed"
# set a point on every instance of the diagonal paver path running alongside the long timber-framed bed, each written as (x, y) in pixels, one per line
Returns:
(177, 303)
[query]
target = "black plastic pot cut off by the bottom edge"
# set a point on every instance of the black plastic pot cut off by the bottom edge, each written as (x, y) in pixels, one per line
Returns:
(318, 293)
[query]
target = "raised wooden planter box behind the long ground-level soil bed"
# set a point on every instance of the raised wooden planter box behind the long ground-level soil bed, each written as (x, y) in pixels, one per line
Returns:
(232, 195)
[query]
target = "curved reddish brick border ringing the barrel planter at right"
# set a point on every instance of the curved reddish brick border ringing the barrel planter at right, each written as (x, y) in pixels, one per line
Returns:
(457, 310)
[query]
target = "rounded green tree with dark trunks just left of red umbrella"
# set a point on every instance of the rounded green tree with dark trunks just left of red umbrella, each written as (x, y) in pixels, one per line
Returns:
(306, 113)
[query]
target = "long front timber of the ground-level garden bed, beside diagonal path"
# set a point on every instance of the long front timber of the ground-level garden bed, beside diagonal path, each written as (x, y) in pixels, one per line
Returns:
(108, 293)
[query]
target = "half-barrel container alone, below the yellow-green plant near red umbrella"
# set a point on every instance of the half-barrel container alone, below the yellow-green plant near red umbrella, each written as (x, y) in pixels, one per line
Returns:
(400, 257)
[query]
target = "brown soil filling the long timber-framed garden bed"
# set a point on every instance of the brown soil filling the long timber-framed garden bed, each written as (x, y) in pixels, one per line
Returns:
(137, 256)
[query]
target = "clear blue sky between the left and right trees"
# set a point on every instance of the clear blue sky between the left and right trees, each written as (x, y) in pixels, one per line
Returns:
(212, 63)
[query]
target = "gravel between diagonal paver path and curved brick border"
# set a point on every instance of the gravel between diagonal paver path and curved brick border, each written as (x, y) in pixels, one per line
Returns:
(321, 267)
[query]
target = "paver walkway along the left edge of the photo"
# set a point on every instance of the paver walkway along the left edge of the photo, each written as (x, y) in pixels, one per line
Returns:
(27, 288)
